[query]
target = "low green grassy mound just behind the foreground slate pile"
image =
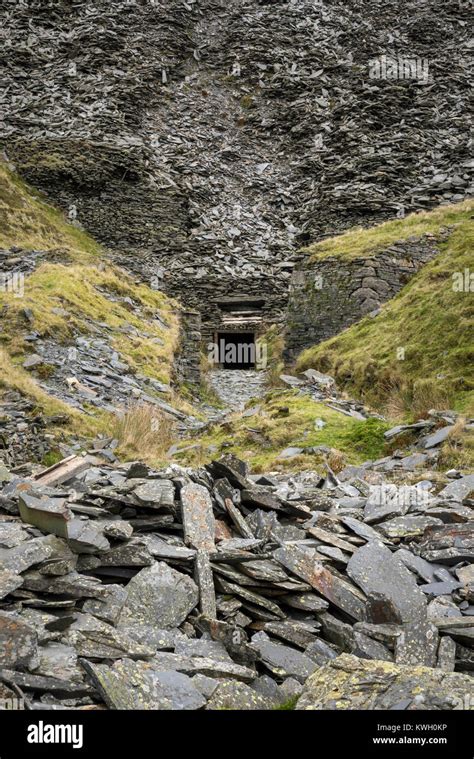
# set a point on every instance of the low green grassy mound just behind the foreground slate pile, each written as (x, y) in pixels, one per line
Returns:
(285, 419)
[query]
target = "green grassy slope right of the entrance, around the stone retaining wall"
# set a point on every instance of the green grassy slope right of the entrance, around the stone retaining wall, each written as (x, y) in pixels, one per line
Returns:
(431, 319)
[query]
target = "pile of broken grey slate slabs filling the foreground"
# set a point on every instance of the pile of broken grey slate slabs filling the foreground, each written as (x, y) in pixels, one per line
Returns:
(123, 587)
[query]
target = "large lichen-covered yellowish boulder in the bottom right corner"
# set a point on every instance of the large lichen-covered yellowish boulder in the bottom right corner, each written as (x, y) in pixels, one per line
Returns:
(351, 683)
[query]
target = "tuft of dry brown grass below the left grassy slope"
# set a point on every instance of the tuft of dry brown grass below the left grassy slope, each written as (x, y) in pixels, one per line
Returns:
(144, 432)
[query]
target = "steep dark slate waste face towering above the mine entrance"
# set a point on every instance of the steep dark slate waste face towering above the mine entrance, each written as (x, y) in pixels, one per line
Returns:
(203, 142)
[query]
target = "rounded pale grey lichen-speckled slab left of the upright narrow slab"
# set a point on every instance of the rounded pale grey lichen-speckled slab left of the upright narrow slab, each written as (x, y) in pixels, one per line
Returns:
(160, 596)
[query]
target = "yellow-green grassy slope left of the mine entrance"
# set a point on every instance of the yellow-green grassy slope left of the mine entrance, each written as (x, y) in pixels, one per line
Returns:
(72, 290)
